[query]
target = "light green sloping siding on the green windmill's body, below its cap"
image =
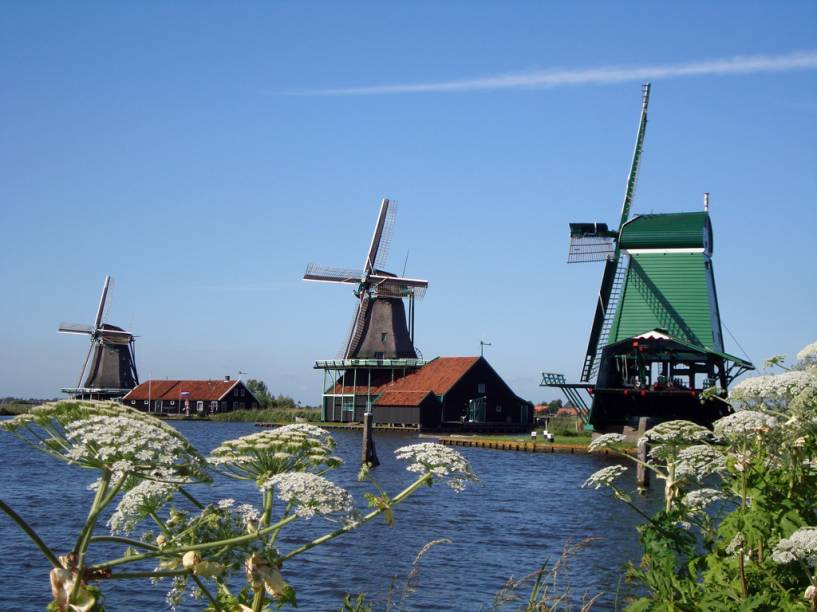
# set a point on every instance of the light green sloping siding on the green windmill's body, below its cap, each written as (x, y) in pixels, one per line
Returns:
(669, 291)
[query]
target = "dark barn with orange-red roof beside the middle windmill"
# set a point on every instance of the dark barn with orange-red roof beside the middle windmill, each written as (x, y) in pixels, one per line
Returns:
(450, 390)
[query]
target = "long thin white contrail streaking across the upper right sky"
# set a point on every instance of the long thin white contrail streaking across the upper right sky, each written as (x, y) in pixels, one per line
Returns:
(541, 79)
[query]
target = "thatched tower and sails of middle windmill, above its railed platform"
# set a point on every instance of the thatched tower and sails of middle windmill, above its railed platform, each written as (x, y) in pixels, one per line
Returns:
(379, 329)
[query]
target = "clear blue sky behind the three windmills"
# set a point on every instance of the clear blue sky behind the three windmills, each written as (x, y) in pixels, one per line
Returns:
(191, 151)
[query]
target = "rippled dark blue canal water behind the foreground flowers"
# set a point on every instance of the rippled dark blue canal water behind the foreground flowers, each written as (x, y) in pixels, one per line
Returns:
(521, 514)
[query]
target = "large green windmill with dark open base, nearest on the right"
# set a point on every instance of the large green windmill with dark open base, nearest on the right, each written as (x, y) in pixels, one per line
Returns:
(656, 341)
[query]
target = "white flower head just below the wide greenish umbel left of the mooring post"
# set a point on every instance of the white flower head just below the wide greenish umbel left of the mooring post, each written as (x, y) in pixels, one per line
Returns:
(311, 494)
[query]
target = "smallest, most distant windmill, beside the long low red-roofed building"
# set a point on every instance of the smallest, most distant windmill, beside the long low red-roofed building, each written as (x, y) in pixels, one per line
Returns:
(113, 367)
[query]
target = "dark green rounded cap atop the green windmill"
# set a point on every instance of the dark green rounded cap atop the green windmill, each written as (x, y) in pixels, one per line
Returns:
(666, 231)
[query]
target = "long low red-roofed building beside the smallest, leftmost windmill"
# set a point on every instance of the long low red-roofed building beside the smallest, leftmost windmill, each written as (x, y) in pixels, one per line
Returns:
(191, 396)
